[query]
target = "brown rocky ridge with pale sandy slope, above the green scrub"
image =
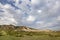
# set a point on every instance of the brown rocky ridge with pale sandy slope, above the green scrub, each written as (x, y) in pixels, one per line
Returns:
(21, 28)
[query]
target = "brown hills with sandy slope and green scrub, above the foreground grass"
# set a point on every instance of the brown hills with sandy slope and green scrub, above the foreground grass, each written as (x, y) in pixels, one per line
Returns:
(21, 31)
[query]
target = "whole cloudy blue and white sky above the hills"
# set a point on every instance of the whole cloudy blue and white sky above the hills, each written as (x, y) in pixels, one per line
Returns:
(39, 14)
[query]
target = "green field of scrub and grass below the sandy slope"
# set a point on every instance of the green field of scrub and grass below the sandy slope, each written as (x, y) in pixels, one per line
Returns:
(30, 36)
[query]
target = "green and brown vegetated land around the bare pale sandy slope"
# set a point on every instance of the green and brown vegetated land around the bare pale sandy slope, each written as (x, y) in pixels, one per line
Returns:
(11, 32)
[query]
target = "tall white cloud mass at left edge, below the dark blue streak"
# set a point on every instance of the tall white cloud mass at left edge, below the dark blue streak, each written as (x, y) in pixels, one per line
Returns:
(6, 17)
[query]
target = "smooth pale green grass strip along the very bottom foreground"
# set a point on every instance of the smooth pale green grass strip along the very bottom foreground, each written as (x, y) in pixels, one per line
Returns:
(43, 37)
